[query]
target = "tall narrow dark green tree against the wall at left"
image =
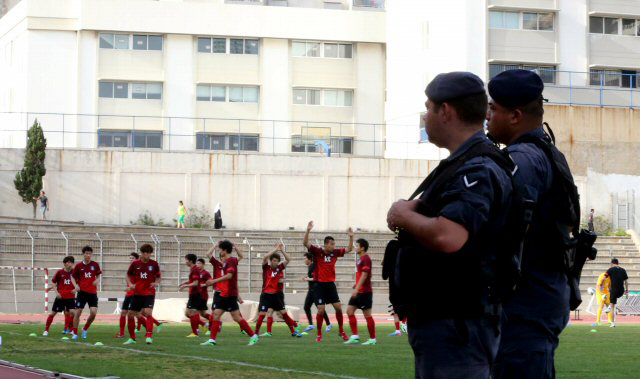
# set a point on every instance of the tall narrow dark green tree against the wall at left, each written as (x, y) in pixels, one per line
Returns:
(28, 181)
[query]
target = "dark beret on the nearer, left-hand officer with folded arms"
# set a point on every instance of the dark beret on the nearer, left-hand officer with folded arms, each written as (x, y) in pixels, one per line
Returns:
(454, 85)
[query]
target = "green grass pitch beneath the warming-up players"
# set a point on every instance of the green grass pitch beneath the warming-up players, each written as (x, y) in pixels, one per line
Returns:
(582, 354)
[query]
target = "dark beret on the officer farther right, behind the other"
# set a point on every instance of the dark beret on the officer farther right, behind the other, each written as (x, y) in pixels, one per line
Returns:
(513, 88)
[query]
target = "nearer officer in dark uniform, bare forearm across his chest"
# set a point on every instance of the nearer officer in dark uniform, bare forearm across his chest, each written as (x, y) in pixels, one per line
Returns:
(449, 333)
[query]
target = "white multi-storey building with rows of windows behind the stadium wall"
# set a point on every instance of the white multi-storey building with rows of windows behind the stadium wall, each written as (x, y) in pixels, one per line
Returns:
(291, 76)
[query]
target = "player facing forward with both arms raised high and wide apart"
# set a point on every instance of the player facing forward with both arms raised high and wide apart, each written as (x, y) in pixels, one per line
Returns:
(325, 291)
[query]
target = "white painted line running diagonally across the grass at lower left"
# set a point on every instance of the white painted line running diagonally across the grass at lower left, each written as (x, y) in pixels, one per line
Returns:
(216, 360)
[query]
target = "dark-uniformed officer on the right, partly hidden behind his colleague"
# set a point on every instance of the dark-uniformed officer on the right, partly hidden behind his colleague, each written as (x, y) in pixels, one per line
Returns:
(538, 311)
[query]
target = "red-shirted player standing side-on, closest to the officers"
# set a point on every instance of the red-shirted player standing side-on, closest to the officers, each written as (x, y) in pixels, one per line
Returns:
(362, 295)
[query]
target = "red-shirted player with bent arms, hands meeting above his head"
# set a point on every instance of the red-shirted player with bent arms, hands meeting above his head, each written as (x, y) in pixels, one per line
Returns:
(272, 296)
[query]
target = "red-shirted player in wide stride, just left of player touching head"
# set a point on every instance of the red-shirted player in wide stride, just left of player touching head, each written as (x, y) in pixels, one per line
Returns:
(228, 300)
